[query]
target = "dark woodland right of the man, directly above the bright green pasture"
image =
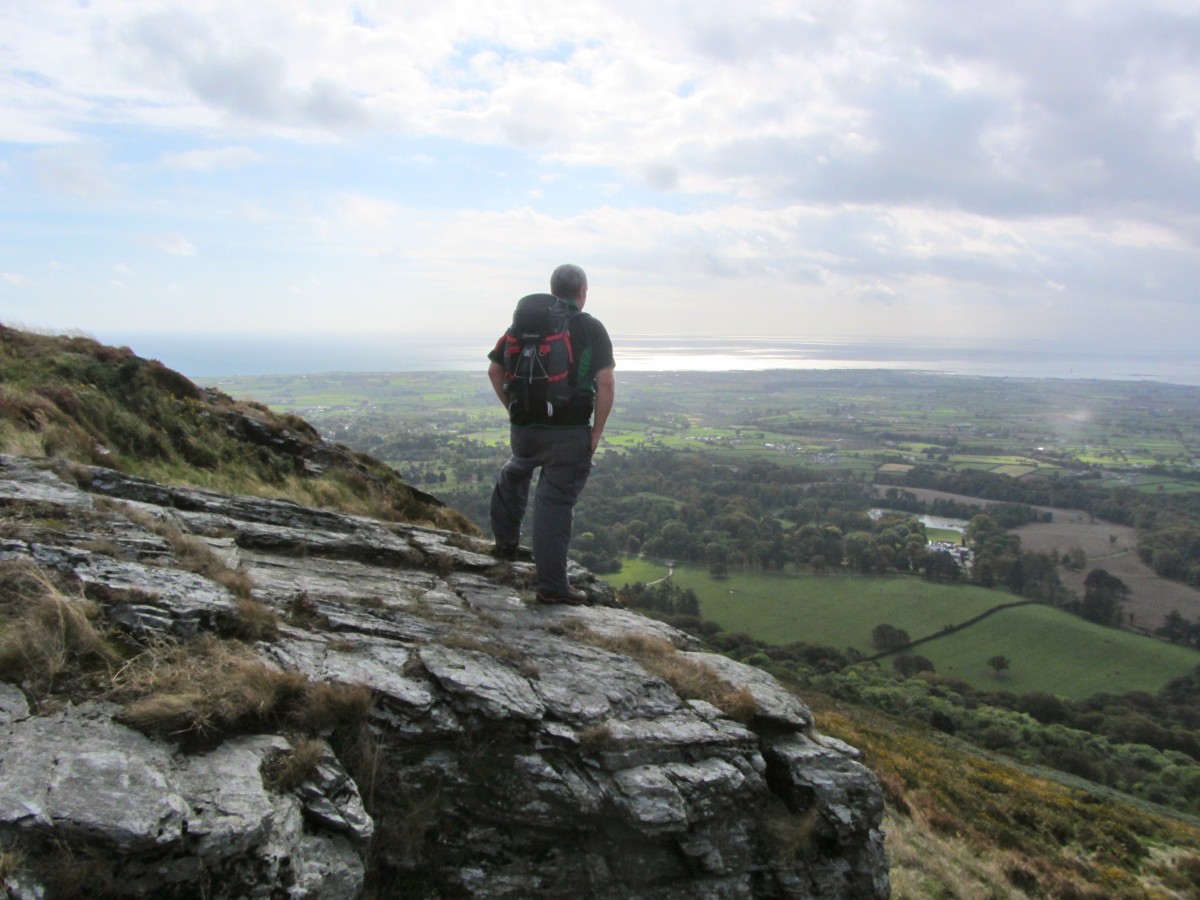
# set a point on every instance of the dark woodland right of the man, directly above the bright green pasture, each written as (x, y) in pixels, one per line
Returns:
(679, 506)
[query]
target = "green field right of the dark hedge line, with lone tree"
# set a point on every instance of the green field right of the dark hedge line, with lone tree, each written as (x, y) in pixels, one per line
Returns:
(1057, 653)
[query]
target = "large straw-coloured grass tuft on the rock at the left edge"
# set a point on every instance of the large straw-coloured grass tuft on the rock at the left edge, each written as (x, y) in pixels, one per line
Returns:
(47, 635)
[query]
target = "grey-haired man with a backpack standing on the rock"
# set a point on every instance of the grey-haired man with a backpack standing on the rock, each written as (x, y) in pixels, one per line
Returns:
(554, 374)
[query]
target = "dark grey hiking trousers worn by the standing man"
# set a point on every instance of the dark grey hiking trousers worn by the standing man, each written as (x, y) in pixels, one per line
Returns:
(565, 457)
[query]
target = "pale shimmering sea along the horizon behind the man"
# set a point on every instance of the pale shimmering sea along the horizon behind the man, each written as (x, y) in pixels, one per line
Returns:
(211, 357)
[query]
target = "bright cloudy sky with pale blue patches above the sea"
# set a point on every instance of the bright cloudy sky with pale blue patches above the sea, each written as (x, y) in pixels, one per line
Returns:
(911, 170)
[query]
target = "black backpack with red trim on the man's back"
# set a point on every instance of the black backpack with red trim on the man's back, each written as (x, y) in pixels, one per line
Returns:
(538, 359)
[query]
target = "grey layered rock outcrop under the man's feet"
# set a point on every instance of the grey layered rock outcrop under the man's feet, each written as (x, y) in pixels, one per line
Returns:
(508, 751)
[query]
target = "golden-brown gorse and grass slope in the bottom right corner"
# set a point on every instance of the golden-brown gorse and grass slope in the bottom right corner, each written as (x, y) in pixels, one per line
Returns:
(965, 826)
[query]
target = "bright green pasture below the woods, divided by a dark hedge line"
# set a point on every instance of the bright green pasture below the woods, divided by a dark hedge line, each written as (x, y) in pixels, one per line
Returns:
(1049, 651)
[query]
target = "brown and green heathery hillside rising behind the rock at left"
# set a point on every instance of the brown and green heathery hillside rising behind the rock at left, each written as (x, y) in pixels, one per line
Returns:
(79, 400)
